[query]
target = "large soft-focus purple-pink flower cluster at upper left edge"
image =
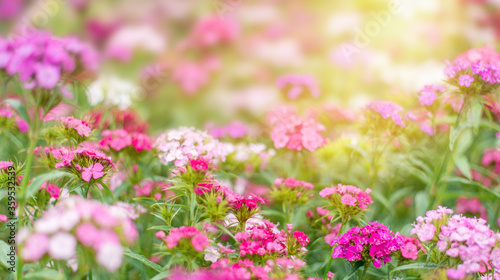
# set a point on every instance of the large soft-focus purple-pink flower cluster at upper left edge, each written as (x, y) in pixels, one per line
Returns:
(41, 60)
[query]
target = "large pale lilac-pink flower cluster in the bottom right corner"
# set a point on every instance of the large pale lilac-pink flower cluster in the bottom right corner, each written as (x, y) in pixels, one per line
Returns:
(472, 242)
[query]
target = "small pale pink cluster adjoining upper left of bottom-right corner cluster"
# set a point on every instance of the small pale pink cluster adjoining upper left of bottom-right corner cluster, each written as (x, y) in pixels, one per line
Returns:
(426, 227)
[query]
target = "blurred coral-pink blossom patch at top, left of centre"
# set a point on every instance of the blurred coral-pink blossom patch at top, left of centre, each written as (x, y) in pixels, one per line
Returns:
(214, 30)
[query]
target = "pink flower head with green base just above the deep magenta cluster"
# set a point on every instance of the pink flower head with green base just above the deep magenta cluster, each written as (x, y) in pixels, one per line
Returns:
(348, 200)
